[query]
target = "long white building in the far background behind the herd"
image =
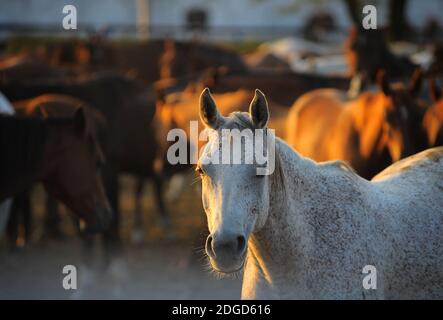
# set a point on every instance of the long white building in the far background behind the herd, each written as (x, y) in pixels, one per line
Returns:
(221, 18)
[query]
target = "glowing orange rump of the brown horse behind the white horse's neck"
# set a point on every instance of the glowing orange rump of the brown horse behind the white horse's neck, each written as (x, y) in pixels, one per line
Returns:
(313, 117)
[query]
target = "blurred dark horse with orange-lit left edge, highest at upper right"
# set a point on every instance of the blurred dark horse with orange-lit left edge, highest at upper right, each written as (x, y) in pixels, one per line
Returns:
(367, 52)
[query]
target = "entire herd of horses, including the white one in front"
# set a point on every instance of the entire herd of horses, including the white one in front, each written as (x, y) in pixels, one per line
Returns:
(307, 230)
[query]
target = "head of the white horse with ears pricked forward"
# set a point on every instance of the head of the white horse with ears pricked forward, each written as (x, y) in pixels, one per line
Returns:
(235, 195)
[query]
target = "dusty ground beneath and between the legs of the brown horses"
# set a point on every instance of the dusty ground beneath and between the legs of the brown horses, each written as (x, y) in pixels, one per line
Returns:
(158, 268)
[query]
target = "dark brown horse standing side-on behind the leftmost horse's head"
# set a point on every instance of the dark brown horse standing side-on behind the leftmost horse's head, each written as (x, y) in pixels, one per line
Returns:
(128, 107)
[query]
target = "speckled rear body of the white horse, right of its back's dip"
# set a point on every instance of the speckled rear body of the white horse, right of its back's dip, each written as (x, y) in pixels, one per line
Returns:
(410, 226)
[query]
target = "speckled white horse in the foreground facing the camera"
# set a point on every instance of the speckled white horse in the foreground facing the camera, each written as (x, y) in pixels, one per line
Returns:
(310, 230)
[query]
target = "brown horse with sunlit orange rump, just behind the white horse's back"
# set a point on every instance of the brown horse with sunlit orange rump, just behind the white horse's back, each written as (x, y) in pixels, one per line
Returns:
(369, 132)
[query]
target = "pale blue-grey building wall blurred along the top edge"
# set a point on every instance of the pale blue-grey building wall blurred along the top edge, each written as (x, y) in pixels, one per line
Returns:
(221, 13)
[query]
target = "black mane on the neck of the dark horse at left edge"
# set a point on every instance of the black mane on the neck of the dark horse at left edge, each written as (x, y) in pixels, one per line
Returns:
(22, 142)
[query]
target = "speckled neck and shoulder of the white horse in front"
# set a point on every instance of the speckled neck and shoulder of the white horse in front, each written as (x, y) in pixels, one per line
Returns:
(303, 206)
